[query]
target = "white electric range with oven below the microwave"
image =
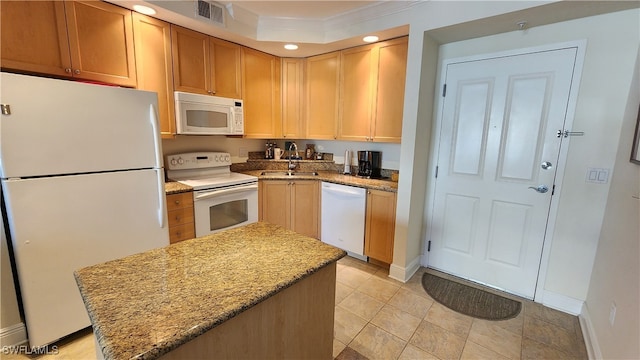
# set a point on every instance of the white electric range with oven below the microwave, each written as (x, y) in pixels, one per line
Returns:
(222, 199)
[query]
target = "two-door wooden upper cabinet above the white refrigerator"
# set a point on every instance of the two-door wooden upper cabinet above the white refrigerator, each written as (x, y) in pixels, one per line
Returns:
(90, 40)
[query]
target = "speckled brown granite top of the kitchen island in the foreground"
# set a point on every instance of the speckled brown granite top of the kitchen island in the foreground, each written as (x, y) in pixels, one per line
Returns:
(144, 305)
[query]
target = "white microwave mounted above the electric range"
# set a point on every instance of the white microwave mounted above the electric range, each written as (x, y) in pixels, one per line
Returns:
(208, 115)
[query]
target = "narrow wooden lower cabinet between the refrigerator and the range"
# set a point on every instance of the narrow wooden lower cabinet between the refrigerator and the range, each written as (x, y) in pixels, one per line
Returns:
(181, 217)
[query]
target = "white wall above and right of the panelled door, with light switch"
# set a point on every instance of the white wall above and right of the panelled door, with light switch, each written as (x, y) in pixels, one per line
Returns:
(606, 76)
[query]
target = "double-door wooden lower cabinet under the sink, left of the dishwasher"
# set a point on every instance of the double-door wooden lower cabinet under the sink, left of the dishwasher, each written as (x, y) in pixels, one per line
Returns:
(293, 204)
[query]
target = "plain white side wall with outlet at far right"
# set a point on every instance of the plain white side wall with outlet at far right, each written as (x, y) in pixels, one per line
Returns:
(616, 270)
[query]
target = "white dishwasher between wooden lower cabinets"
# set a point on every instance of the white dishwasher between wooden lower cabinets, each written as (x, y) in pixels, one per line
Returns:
(342, 217)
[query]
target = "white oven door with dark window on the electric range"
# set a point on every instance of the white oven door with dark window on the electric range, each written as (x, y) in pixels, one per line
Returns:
(222, 209)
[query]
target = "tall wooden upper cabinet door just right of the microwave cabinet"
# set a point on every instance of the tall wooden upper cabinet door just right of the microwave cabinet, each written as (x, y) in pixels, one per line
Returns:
(261, 95)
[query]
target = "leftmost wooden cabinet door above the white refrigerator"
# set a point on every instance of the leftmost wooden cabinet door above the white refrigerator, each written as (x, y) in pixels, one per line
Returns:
(34, 37)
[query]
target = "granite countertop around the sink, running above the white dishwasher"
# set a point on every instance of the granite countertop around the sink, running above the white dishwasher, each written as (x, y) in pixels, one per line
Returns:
(329, 176)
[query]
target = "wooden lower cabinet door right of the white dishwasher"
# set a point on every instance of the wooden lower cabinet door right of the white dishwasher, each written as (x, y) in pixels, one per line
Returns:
(380, 225)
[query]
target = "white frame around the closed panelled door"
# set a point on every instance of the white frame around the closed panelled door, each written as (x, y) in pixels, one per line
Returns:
(434, 151)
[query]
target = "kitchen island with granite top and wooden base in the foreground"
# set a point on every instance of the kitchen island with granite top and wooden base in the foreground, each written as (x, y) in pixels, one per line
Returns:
(258, 291)
